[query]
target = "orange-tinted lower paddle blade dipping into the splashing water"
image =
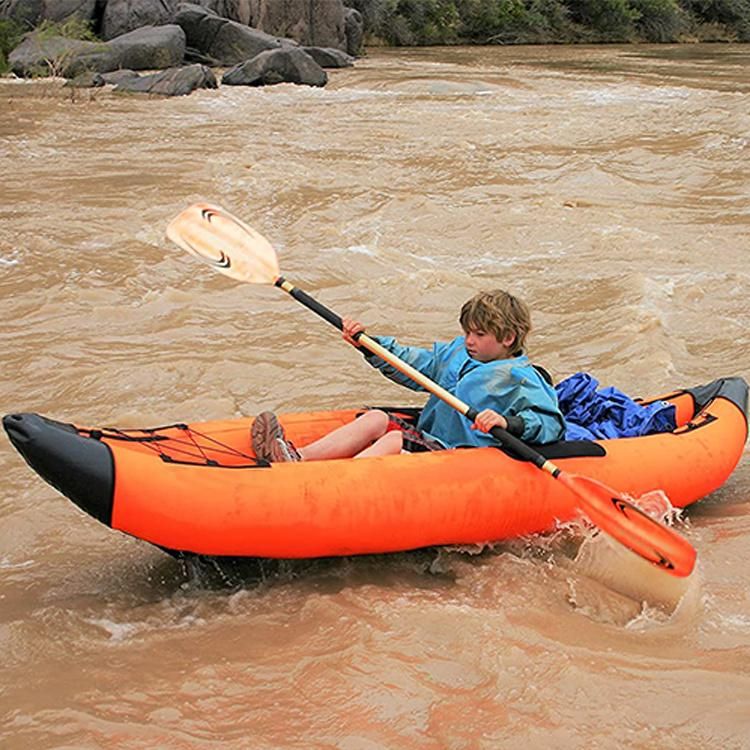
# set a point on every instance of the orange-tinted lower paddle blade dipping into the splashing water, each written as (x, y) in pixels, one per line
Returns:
(630, 526)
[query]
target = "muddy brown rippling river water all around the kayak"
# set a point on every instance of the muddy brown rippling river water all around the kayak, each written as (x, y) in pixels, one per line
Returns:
(609, 187)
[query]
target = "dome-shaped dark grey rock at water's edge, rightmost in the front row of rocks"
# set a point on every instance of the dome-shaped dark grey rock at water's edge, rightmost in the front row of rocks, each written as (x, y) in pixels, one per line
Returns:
(288, 65)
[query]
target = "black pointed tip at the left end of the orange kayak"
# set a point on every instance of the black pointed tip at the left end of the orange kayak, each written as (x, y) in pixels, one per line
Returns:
(81, 468)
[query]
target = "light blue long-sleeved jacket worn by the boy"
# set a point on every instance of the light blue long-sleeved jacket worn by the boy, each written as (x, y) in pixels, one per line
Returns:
(512, 387)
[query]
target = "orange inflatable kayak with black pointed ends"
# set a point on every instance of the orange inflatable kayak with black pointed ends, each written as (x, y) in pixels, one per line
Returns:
(198, 488)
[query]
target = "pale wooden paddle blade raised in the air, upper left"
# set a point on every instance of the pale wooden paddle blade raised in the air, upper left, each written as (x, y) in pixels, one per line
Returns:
(224, 242)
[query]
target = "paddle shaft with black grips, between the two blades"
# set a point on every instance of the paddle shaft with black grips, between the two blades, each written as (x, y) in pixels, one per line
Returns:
(502, 436)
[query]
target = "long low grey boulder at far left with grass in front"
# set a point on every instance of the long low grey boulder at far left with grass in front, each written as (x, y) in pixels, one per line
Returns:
(143, 49)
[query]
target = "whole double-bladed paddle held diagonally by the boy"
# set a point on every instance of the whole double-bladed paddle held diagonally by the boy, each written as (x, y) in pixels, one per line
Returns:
(240, 252)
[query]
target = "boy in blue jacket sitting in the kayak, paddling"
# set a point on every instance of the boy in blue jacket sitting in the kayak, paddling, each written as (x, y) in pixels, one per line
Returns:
(485, 368)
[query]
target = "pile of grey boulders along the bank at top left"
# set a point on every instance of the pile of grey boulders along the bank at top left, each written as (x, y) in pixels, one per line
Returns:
(184, 41)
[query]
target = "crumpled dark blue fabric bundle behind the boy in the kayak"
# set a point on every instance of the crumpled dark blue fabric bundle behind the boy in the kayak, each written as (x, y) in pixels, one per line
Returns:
(592, 414)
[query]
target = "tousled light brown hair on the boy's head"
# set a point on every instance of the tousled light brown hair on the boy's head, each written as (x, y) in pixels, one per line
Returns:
(499, 313)
